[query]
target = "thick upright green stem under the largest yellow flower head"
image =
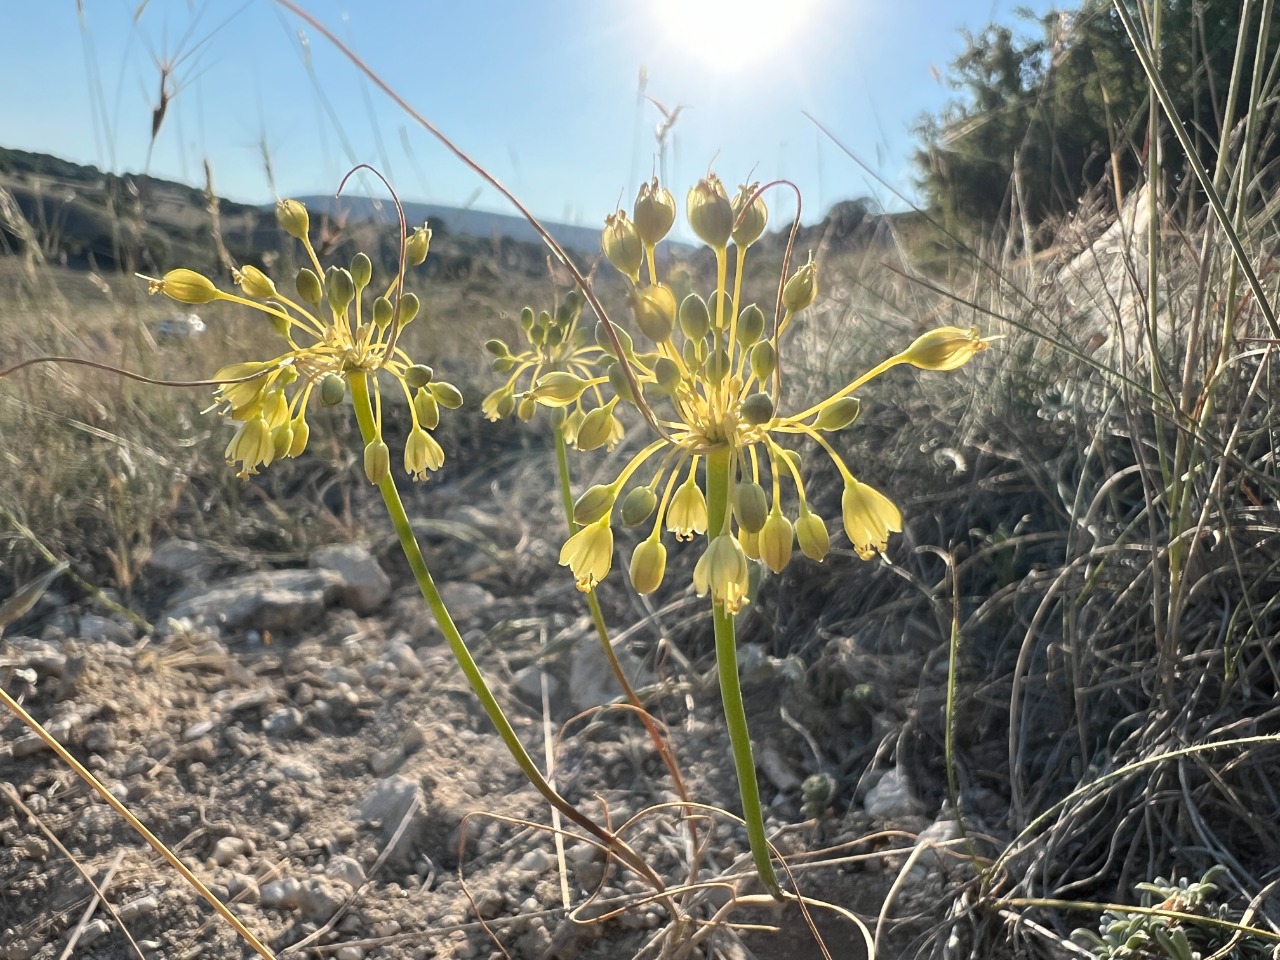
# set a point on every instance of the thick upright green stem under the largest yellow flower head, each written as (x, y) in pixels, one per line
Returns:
(719, 473)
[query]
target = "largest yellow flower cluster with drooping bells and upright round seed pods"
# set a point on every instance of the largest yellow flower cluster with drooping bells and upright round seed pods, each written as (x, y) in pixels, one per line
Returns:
(711, 386)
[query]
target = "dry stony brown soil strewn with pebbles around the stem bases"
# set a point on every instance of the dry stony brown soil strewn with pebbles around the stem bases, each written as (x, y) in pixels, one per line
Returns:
(300, 735)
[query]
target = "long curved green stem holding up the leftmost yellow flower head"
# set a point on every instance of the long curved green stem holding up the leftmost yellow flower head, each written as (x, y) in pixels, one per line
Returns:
(463, 655)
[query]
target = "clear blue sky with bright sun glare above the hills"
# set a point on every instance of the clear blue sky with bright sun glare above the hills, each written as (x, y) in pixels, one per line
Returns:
(546, 95)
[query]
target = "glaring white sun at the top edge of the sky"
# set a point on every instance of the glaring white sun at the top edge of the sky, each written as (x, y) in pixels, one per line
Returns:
(735, 35)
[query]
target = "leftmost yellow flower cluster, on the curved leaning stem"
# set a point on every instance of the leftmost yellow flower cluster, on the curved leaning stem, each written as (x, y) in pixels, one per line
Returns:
(336, 333)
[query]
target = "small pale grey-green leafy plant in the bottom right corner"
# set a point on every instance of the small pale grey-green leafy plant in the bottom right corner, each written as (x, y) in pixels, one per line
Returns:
(1183, 921)
